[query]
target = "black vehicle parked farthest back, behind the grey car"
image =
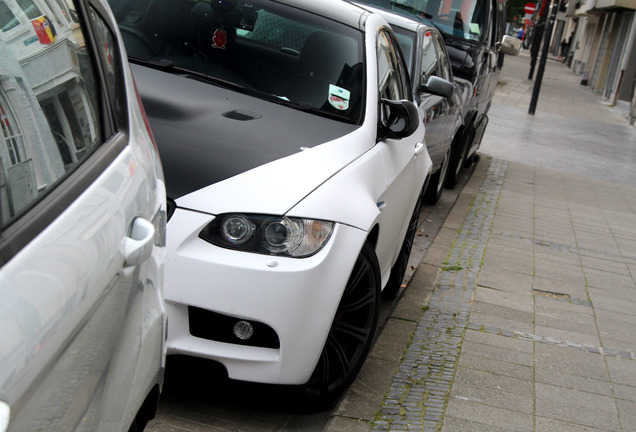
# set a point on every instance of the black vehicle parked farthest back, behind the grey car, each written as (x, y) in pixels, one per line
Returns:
(474, 34)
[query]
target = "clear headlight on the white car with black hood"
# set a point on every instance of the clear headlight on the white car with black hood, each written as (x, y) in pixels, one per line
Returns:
(271, 235)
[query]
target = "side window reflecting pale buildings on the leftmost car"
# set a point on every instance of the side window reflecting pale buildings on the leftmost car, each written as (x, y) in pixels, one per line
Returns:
(51, 104)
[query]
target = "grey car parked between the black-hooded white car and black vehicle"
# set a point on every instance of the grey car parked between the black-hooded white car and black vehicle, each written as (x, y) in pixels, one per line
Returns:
(439, 97)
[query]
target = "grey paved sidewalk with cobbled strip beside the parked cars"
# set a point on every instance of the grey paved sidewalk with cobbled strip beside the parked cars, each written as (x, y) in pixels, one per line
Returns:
(532, 322)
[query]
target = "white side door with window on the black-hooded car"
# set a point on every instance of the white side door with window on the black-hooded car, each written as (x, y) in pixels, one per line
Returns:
(403, 169)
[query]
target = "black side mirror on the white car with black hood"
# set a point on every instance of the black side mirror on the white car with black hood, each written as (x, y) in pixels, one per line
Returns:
(399, 119)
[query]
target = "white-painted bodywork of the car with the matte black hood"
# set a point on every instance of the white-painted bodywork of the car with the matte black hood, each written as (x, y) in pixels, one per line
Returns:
(342, 181)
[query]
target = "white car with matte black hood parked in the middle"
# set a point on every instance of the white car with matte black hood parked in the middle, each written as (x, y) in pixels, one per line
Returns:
(294, 165)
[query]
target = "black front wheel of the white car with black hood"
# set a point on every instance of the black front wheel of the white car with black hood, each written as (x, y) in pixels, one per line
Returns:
(350, 337)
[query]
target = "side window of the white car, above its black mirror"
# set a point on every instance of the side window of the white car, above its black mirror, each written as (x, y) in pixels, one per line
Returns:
(392, 76)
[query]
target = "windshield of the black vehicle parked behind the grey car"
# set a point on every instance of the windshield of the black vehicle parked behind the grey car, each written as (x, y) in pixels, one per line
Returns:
(465, 19)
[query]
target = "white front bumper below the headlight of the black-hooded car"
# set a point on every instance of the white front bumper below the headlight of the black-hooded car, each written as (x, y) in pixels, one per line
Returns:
(296, 298)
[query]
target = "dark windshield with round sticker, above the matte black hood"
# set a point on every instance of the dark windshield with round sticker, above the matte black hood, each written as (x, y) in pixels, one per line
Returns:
(263, 48)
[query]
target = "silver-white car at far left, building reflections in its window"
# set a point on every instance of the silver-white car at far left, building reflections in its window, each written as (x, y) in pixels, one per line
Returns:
(82, 214)
